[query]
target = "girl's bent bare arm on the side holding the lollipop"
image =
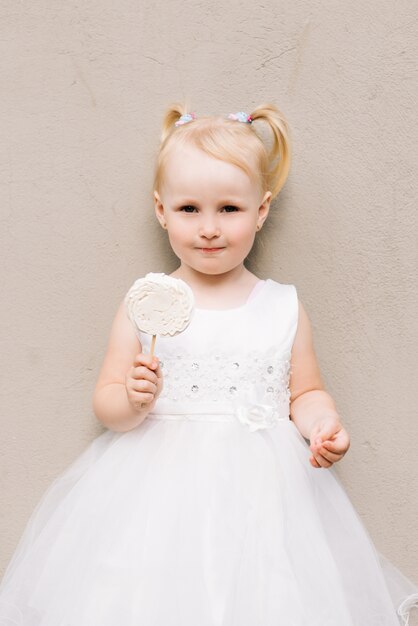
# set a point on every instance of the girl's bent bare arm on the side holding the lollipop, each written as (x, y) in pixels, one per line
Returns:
(110, 399)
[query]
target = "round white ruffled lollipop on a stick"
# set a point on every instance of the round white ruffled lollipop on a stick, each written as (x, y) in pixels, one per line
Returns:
(160, 305)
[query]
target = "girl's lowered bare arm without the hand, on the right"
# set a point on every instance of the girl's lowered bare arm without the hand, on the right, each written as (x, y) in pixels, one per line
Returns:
(309, 401)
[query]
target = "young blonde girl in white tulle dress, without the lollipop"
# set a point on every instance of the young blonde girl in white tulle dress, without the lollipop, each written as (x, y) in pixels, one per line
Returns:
(211, 499)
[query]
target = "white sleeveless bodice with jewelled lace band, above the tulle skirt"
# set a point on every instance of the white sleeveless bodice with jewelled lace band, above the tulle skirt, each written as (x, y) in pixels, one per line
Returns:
(229, 357)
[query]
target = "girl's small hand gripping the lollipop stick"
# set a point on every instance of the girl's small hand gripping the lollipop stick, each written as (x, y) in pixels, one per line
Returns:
(144, 381)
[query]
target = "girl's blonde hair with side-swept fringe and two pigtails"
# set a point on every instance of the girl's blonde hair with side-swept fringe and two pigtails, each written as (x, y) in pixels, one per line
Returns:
(232, 141)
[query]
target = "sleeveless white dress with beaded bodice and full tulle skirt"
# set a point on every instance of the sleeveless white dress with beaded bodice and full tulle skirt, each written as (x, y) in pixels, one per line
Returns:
(209, 512)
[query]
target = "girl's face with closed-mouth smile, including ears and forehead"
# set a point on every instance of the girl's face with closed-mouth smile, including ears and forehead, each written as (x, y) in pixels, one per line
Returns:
(209, 204)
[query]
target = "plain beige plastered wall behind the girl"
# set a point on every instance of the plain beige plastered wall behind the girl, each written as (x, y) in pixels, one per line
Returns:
(84, 86)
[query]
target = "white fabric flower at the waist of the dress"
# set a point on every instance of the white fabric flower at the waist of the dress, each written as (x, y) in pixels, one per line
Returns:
(252, 411)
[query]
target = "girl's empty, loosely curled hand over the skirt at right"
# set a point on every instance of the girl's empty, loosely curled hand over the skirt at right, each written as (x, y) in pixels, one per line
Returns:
(329, 441)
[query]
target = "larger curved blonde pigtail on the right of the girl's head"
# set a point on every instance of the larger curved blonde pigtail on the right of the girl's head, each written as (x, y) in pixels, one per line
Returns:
(280, 154)
